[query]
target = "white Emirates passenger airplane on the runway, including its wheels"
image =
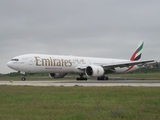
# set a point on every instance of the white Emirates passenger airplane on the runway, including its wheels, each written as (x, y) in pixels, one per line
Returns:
(57, 66)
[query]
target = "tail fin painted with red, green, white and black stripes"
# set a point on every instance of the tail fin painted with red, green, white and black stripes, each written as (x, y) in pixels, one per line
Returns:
(138, 52)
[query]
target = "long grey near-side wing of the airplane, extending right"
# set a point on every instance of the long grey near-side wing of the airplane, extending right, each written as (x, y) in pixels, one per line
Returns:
(126, 63)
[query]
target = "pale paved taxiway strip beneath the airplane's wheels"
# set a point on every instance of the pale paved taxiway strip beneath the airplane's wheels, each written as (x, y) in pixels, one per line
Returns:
(68, 83)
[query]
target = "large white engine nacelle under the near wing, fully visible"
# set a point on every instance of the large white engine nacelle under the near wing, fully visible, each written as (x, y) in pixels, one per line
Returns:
(94, 71)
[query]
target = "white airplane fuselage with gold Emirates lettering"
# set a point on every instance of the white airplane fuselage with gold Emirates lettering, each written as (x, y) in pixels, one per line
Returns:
(40, 63)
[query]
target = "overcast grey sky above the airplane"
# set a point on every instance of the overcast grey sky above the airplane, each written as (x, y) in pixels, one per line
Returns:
(95, 28)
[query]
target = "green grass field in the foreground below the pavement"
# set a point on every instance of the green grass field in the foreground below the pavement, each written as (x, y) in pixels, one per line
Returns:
(79, 103)
